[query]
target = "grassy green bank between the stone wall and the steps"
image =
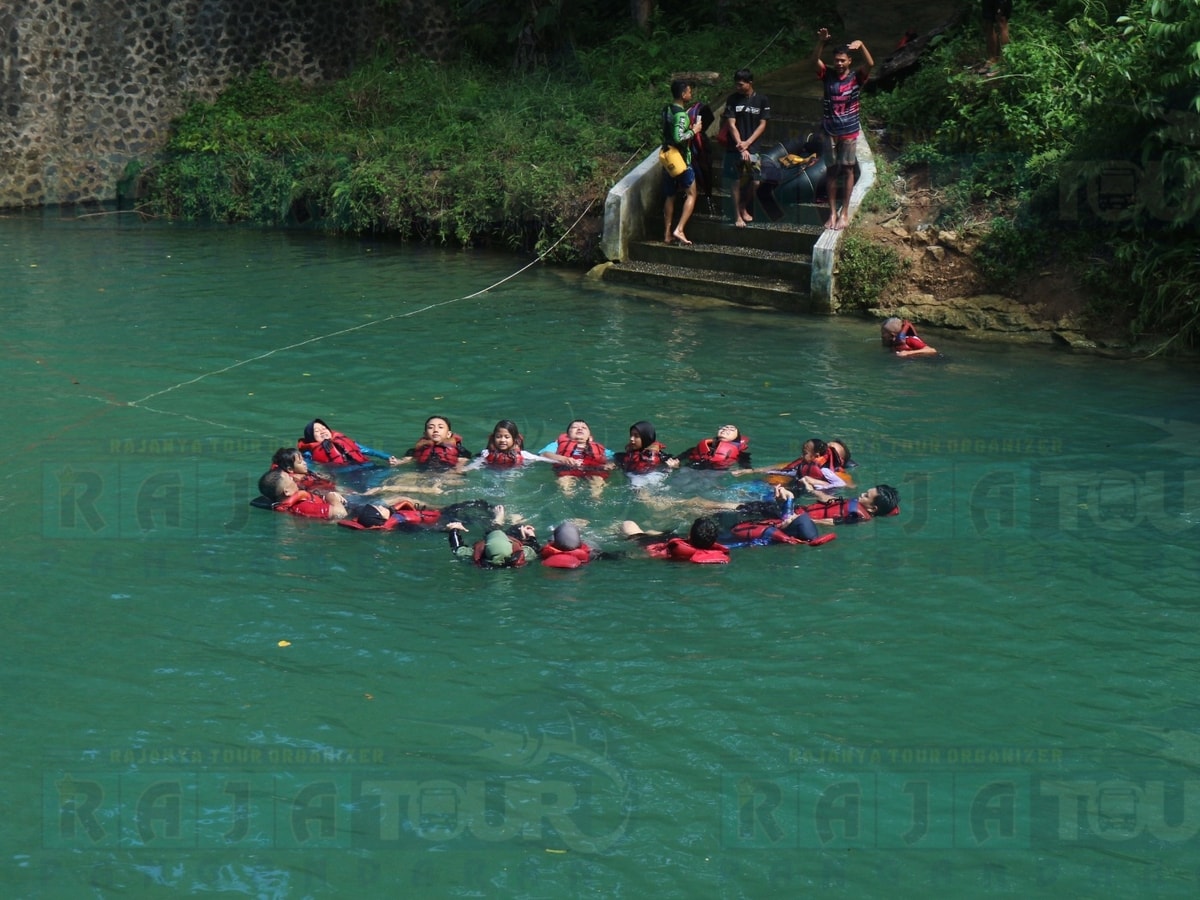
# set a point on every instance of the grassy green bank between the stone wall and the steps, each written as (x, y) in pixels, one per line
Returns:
(487, 148)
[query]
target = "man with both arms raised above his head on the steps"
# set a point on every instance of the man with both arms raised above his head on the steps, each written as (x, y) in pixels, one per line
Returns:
(841, 124)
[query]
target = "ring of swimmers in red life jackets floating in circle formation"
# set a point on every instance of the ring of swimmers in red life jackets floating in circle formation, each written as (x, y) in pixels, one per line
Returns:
(329, 476)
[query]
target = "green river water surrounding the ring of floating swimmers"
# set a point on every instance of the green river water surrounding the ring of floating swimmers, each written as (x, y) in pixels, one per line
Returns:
(994, 693)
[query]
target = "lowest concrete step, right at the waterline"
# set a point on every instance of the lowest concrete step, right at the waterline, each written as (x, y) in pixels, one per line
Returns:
(748, 291)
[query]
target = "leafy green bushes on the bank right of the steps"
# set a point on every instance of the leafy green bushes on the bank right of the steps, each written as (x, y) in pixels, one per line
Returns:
(1082, 149)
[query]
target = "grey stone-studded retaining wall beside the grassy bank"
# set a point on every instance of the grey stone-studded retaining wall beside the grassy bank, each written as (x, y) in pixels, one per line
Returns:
(88, 86)
